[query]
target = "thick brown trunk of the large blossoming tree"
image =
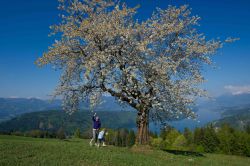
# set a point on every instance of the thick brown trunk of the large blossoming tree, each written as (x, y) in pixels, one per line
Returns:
(142, 127)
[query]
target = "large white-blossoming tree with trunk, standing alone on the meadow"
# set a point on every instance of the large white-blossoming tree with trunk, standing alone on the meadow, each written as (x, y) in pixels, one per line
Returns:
(153, 66)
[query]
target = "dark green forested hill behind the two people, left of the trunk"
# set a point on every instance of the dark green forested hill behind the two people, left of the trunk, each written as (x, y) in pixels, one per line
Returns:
(53, 120)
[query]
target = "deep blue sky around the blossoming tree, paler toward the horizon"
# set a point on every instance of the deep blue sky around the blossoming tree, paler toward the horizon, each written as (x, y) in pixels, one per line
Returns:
(24, 29)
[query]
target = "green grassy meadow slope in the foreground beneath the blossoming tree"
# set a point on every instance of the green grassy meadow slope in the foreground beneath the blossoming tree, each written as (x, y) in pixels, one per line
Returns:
(30, 151)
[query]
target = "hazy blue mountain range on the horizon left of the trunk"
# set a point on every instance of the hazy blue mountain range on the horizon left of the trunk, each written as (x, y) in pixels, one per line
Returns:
(12, 107)
